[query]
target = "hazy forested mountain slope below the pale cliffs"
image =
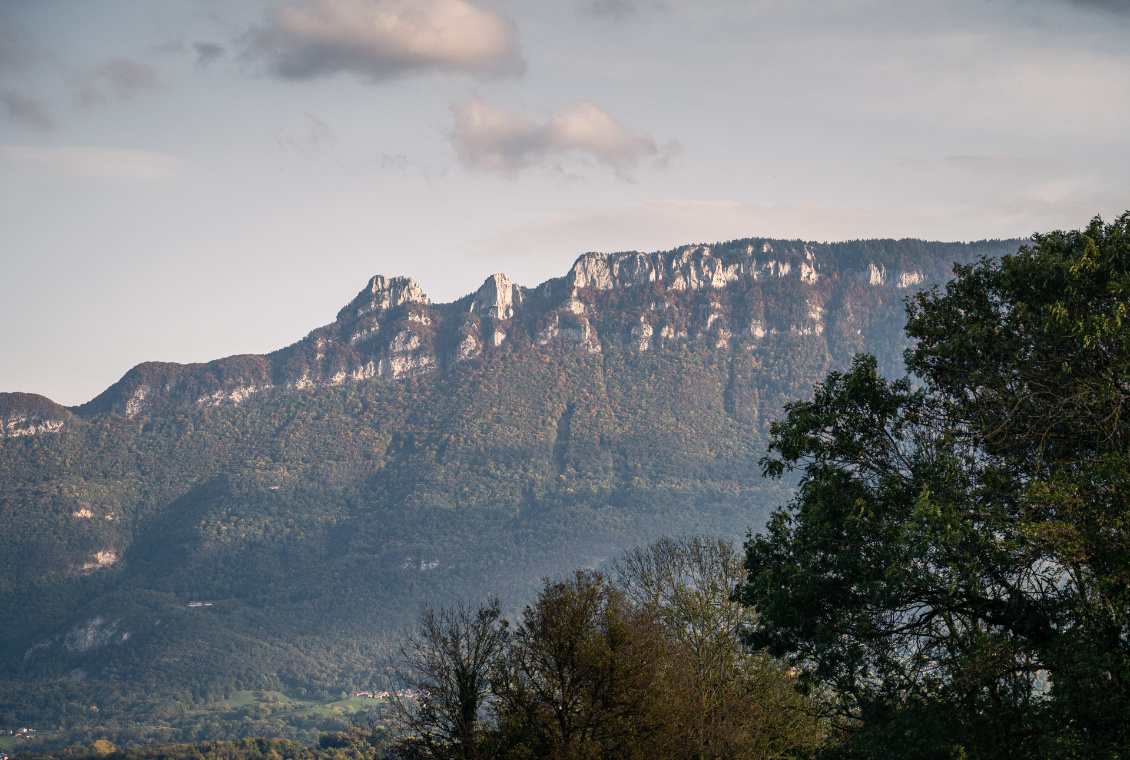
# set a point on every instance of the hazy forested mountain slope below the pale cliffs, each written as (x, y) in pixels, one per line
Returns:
(315, 525)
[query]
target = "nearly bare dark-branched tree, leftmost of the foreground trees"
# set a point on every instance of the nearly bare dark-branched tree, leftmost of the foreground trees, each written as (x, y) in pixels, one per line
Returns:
(446, 671)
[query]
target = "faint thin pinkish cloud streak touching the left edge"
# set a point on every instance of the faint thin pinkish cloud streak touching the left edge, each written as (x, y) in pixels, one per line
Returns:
(90, 162)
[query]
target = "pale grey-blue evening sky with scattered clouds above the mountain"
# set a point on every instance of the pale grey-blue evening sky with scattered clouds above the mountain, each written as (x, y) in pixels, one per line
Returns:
(187, 180)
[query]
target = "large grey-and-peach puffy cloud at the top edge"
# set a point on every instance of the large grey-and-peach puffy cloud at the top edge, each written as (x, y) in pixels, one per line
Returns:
(383, 39)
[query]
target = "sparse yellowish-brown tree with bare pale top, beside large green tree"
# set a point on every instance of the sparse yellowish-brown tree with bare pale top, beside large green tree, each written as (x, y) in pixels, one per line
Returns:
(720, 700)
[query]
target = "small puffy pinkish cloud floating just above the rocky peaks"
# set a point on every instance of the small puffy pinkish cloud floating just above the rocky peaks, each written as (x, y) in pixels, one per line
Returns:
(490, 138)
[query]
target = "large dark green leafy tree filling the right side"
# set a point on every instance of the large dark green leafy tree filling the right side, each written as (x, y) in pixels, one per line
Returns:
(957, 564)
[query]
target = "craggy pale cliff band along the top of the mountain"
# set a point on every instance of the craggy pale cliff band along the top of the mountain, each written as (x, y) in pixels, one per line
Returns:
(734, 296)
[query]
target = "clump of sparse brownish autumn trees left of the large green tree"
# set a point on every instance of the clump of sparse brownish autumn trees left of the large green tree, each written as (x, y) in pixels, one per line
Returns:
(648, 666)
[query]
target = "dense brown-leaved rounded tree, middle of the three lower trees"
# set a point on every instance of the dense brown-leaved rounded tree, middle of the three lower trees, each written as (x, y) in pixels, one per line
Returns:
(583, 675)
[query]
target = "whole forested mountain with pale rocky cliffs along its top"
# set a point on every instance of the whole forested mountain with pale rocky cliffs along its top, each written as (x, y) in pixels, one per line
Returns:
(201, 531)
